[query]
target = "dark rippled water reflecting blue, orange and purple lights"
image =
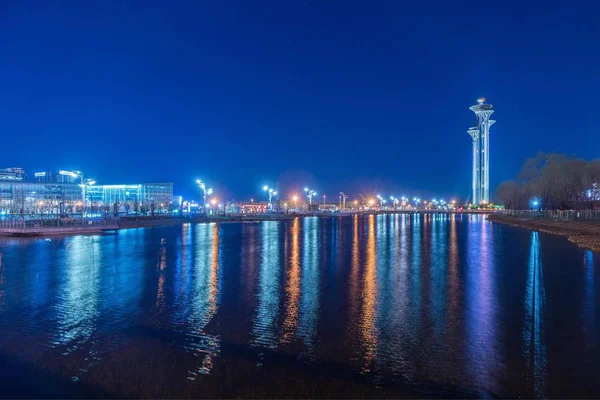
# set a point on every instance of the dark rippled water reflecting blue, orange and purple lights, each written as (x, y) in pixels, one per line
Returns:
(365, 306)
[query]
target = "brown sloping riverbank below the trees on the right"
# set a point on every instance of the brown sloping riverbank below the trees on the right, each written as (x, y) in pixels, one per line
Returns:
(583, 234)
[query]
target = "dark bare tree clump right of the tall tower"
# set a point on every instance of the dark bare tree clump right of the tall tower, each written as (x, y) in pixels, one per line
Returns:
(555, 181)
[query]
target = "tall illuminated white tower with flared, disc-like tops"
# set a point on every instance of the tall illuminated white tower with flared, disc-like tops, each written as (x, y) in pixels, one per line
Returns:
(481, 151)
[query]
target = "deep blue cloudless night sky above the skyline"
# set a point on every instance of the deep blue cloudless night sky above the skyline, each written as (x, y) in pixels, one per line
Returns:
(339, 95)
